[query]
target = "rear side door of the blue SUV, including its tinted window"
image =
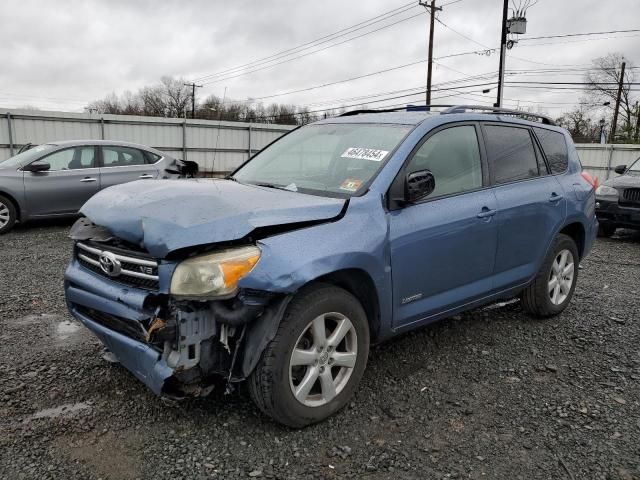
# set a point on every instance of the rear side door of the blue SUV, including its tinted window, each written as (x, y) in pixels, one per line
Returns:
(531, 202)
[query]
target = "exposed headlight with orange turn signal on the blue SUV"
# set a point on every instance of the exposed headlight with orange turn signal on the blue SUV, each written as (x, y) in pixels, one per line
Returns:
(215, 274)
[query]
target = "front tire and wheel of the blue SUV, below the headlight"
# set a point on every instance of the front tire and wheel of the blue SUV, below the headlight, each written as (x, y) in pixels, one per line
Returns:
(316, 360)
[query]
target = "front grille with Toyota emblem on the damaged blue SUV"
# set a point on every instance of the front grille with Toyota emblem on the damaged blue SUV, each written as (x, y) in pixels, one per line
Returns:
(128, 268)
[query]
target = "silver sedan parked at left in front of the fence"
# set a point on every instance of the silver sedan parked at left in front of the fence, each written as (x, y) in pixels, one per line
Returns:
(56, 179)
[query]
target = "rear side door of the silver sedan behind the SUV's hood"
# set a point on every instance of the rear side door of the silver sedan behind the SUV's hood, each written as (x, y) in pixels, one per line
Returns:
(120, 164)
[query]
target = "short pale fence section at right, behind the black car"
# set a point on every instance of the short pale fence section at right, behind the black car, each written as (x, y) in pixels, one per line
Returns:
(600, 160)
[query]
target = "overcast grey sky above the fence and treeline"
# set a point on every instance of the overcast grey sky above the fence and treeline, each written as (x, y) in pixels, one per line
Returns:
(61, 55)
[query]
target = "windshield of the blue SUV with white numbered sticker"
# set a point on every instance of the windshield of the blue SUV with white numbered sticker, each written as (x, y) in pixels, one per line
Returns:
(330, 159)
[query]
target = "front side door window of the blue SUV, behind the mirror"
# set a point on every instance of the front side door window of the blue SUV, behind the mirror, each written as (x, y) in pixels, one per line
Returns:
(453, 157)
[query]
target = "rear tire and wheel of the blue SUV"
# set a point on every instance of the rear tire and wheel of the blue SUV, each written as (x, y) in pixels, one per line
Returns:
(552, 289)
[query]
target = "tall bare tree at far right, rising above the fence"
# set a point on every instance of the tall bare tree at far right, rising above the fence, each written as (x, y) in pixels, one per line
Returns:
(603, 79)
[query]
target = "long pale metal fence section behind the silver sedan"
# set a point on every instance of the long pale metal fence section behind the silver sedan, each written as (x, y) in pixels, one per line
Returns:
(216, 146)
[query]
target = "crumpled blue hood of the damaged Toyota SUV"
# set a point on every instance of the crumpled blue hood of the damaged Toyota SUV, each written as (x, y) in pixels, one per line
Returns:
(167, 215)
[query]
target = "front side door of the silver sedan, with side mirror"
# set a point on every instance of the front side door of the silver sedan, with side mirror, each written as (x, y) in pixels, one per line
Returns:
(72, 179)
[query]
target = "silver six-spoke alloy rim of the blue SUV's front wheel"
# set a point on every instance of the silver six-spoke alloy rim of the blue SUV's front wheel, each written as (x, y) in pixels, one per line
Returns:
(323, 359)
